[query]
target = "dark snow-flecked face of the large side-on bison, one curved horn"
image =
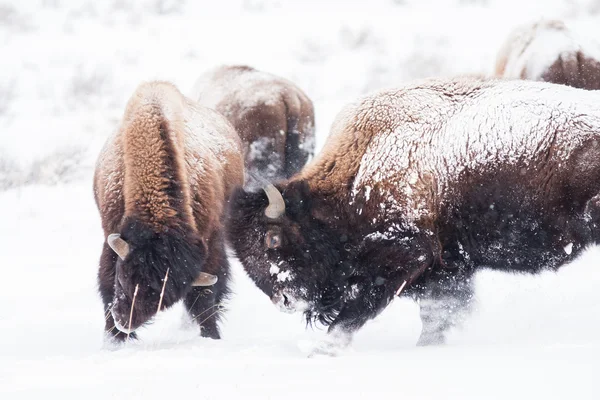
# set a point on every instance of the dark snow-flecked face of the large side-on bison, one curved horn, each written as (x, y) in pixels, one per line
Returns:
(289, 254)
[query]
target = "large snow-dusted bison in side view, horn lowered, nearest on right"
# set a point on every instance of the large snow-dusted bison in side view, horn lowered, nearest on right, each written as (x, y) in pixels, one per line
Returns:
(417, 188)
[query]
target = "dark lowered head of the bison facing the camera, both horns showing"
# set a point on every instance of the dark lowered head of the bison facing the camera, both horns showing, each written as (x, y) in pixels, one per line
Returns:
(153, 270)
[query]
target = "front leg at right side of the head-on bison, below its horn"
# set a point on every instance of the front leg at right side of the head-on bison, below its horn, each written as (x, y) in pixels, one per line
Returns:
(205, 304)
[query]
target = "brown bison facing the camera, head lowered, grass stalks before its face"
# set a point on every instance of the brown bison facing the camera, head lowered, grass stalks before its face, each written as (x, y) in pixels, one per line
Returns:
(161, 184)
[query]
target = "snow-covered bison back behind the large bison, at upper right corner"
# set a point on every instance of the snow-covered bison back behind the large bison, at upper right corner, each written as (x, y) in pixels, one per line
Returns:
(548, 51)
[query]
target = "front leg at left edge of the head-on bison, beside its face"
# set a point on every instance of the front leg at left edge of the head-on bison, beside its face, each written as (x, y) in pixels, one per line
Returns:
(106, 284)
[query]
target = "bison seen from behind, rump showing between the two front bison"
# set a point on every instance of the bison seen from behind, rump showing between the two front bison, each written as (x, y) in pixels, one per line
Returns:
(274, 118)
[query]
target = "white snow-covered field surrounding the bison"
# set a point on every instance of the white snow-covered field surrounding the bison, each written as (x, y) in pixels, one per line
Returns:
(67, 70)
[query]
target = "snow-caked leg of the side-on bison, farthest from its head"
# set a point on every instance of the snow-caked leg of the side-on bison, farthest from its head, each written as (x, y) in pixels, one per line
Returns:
(442, 306)
